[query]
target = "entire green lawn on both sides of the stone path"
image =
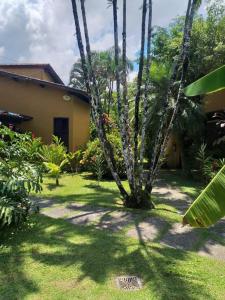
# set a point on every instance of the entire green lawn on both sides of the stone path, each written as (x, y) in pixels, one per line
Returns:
(52, 259)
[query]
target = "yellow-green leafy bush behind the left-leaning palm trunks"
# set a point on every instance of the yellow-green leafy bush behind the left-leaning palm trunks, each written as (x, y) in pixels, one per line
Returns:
(94, 153)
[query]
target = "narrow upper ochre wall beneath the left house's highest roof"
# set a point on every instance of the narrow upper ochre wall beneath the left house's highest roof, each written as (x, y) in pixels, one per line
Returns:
(35, 72)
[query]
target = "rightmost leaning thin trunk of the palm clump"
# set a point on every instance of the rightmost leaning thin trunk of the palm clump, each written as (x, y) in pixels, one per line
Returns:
(184, 61)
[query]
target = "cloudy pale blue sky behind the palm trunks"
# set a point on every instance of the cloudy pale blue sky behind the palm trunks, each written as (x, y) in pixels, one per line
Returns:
(42, 31)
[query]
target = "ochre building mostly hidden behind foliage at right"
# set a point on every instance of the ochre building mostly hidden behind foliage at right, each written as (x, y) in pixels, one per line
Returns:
(212, 103)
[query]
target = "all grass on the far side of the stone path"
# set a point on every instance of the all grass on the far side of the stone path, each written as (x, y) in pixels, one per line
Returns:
(85, 190)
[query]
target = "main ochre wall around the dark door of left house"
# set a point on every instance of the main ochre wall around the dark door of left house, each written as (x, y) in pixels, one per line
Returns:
(44, 104)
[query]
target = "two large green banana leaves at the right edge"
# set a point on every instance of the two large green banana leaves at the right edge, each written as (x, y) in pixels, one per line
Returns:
(209, 207)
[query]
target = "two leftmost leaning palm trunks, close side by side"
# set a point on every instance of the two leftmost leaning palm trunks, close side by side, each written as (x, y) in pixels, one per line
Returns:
(95, 101)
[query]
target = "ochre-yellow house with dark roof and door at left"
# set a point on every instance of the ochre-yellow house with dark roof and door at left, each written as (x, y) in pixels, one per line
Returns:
(34, 98)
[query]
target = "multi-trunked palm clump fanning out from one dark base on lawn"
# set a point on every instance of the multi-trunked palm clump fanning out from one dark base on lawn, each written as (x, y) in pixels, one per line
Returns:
(138, 197)
